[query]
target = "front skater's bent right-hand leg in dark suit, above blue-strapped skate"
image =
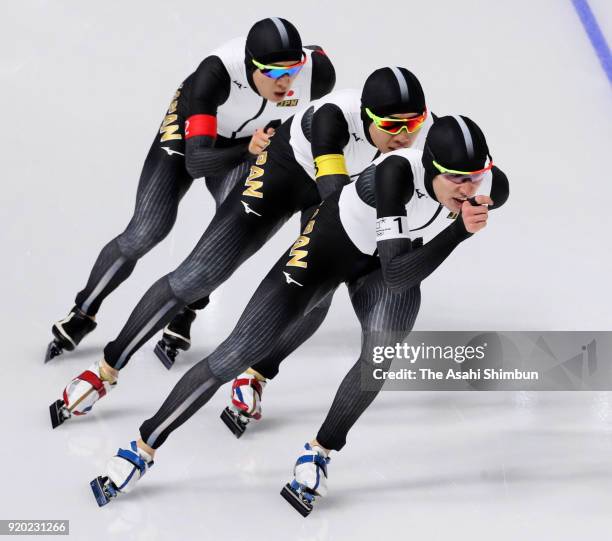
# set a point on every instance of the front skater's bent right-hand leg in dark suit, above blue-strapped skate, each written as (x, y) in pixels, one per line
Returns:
(386, 319)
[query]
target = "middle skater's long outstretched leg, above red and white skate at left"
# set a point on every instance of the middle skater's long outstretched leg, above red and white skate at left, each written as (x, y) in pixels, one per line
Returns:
(239, 228)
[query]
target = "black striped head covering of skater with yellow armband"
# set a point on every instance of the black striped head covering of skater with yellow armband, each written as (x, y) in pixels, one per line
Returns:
(393, 90)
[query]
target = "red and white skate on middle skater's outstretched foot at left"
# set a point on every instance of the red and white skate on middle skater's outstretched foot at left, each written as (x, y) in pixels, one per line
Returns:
(81, 394)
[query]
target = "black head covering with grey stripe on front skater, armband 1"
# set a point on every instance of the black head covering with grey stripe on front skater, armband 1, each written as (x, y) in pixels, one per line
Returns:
(455, 142)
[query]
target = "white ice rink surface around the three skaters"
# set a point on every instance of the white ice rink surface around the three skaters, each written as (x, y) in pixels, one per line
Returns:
(84, 87)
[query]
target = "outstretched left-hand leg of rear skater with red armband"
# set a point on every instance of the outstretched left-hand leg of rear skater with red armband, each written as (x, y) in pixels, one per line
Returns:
(162, 184)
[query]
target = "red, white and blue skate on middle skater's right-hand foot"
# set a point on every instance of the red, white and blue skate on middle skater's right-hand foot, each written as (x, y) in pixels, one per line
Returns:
(247, 390)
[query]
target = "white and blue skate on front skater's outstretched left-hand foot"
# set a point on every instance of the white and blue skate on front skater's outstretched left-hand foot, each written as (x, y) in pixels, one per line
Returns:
(123, 471)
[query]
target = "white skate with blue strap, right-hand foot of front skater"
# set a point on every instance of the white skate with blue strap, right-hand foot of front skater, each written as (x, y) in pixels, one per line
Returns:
(309, 479)
